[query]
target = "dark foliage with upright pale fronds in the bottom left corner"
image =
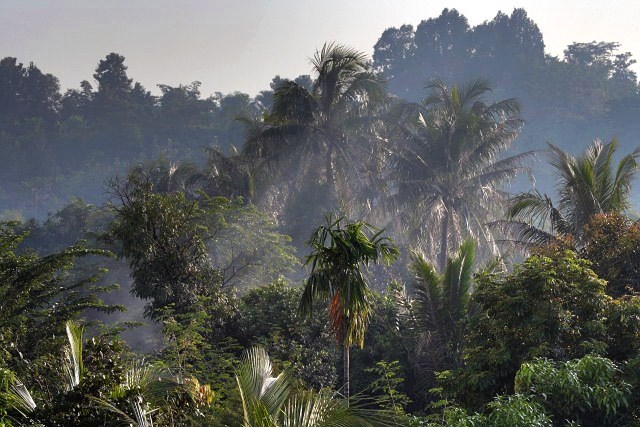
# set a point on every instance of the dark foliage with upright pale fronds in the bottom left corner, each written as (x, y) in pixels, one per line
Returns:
(109, 382)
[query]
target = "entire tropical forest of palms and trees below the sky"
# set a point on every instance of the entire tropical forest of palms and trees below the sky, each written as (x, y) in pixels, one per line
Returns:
(240, 231)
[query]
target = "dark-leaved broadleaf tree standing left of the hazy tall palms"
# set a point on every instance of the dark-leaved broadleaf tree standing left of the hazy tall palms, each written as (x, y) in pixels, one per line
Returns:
(163, 237)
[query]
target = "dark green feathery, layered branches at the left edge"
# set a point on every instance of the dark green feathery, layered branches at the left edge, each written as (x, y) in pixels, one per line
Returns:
(40, 294)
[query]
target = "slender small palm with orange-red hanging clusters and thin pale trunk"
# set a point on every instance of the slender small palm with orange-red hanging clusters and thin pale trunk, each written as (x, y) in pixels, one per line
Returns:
(340, 252)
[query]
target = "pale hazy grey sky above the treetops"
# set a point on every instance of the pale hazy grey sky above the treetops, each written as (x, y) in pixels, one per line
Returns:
(240, 45)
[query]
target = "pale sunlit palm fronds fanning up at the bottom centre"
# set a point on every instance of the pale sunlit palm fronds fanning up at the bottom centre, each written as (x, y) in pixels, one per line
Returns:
(270, 401)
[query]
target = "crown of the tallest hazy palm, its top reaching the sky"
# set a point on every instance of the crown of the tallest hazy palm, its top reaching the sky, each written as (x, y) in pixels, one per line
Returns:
(328, 127)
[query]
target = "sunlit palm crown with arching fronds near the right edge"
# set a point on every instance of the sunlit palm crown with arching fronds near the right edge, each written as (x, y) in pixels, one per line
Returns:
(587, 185)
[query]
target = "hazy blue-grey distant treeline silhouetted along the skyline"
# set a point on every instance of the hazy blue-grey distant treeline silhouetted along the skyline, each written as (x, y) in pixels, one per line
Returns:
(56, 144)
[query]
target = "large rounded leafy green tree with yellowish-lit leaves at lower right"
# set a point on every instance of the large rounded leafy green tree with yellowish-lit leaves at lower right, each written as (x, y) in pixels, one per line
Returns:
(552, 306)
